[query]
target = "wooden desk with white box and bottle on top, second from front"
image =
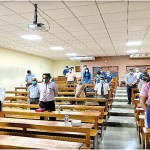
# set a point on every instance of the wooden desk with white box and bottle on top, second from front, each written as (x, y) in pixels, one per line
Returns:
(50, 127)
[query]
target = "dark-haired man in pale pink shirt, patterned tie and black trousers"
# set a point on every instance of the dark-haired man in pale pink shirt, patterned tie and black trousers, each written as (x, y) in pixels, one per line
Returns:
(48, 92)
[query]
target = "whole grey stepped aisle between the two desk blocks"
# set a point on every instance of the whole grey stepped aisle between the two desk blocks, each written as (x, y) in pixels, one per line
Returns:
(121, 132)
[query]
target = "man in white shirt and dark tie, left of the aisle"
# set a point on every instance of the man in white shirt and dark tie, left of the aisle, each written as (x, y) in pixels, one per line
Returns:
(102, 89)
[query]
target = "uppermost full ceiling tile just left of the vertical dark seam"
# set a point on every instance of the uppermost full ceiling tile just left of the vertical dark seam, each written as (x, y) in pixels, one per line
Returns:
(107, 8)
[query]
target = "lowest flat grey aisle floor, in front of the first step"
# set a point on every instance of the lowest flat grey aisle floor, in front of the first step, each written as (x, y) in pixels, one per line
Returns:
(120, 138)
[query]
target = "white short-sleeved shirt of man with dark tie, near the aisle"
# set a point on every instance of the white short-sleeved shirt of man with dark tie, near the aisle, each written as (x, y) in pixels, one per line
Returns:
(98, 88)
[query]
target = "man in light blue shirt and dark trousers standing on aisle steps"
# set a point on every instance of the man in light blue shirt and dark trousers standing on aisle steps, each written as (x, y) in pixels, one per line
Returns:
(131, 80)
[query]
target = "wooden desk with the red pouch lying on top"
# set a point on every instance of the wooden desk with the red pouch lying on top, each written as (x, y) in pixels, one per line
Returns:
(82, 115)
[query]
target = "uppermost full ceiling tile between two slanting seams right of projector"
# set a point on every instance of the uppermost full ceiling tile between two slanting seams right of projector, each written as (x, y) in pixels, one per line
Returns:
(85, 10)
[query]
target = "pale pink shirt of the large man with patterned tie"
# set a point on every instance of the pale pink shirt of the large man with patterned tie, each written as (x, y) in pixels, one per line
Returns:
(50, 89)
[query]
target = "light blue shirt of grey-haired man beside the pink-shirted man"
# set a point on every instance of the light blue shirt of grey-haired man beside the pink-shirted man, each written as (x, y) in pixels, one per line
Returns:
(34, 91)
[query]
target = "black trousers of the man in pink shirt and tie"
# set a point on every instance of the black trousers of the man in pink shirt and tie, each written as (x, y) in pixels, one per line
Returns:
(50, 106)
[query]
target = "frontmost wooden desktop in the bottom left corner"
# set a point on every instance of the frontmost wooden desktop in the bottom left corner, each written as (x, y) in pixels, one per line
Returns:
(7, 141)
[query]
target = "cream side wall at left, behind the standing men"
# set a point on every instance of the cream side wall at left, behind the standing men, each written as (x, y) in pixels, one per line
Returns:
(14, 65)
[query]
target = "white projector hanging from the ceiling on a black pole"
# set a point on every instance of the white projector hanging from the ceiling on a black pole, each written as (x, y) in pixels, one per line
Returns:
(35, 25)
